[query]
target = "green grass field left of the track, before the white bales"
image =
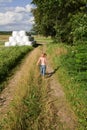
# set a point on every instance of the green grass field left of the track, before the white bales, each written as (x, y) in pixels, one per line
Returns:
(9, 58)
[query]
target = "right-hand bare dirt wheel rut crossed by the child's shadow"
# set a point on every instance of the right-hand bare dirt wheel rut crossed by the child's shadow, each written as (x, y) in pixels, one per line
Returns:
(62, 107)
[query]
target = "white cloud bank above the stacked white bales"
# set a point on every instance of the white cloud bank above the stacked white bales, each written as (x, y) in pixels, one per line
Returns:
(16, 17)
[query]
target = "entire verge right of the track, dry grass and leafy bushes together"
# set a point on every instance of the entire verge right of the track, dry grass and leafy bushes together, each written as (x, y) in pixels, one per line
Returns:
(72, 74)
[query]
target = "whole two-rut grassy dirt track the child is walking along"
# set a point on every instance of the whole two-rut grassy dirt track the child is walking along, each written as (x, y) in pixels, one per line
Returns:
(35, 103)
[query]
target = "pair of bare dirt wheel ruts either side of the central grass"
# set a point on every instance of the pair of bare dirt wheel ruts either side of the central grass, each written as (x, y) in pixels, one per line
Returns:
(19, 81)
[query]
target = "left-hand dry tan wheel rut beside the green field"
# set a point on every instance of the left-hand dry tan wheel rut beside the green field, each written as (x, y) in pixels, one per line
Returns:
(14, 93)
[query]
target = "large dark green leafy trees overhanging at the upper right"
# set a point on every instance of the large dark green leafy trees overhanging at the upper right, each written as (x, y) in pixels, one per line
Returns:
(66, 21)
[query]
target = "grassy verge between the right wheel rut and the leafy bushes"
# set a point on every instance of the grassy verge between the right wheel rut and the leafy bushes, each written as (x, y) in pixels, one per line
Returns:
(76, 90)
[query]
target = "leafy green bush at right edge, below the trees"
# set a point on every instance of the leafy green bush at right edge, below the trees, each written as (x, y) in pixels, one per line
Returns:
(76, 62)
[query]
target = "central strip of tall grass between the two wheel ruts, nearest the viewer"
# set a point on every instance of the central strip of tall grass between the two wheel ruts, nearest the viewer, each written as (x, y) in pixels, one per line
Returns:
(38, 112)
